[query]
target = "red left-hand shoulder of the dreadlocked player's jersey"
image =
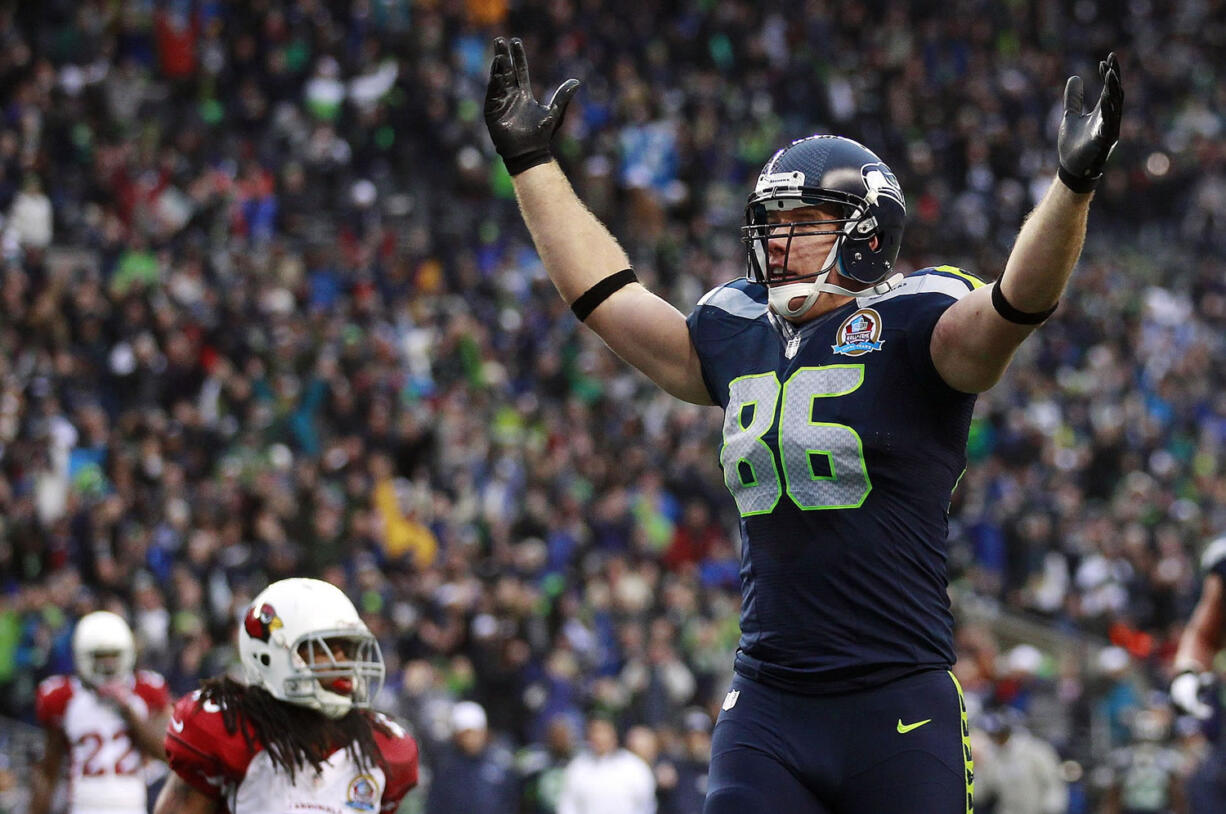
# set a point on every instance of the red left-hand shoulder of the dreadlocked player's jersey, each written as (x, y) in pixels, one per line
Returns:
(200, 751)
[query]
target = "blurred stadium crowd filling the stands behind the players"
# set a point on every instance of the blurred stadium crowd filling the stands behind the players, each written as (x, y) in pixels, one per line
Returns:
(267, 311)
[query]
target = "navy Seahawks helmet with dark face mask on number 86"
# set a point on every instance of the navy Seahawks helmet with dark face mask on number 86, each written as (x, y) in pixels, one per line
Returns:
(851, 183)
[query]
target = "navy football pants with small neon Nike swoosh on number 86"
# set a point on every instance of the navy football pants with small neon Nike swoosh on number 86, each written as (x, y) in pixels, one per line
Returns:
(903, 748)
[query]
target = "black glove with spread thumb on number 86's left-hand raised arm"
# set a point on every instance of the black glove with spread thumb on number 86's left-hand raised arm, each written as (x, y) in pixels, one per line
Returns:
(520, 127)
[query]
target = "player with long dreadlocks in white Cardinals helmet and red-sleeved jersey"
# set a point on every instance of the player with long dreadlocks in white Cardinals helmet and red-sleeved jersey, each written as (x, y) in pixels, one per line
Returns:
(300, 734)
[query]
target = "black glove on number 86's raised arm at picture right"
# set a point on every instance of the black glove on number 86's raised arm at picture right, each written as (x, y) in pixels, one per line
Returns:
(1087, 139)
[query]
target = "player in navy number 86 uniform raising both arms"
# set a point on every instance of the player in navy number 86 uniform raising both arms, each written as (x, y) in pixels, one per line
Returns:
(848, 392)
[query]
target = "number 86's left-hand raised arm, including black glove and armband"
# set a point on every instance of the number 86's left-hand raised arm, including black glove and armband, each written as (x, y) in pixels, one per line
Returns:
(581, 256)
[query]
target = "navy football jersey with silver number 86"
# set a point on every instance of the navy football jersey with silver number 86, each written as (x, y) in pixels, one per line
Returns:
(842, 449)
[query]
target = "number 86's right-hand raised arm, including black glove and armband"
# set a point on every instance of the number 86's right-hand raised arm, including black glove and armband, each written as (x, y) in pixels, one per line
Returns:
(975, 340)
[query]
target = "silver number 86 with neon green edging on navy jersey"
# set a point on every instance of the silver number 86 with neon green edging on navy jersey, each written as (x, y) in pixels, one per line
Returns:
(823, 464)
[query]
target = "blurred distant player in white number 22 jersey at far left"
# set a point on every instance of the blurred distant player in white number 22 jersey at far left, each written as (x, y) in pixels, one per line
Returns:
(107, 720)
